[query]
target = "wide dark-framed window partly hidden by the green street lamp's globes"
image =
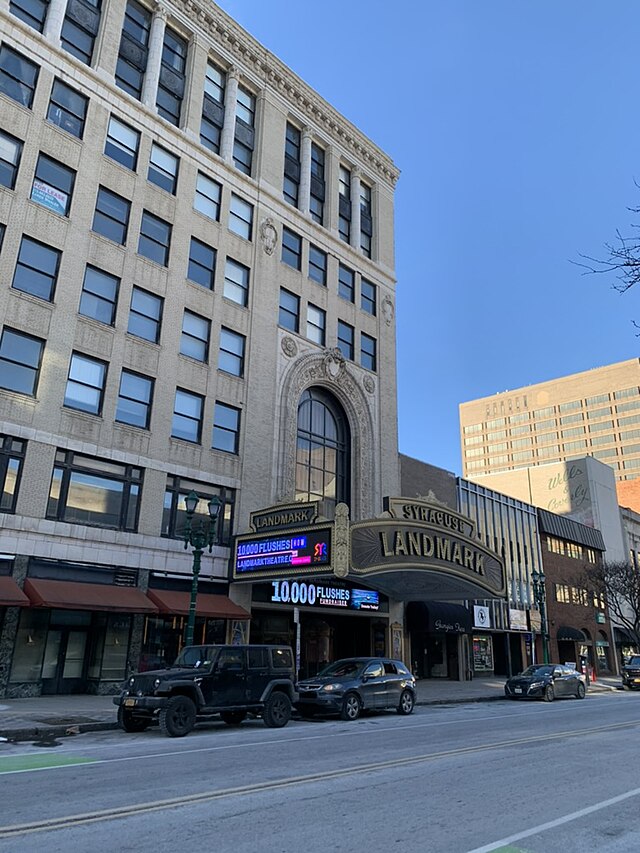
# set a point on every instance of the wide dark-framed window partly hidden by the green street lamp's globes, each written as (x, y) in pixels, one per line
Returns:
(174, 516)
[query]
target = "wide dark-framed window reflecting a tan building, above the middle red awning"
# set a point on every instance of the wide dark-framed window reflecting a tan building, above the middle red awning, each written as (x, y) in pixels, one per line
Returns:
(96, 492)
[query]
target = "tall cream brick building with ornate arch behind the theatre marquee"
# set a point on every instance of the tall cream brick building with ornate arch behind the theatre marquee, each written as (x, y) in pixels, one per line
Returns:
(197, 293)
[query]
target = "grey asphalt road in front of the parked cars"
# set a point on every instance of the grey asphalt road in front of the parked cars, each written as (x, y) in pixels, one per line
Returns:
(515, 776)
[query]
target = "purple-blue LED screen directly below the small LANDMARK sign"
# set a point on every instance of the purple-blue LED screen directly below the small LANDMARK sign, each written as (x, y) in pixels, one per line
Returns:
(310, 548)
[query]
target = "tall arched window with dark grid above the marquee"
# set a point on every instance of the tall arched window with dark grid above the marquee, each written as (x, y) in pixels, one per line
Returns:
(323, 451)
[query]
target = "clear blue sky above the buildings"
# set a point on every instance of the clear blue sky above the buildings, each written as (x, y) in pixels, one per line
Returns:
(516, 127)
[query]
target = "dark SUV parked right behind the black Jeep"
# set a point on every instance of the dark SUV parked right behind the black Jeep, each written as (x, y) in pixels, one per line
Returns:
(350, 686)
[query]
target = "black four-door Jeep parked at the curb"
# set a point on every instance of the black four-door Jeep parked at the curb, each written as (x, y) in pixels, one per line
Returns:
(231, 681)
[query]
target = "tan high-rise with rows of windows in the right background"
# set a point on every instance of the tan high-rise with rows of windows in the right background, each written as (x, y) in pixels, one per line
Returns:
(593, 413)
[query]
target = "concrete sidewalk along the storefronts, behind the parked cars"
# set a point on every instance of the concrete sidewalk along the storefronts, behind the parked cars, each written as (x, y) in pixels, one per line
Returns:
(45, 718)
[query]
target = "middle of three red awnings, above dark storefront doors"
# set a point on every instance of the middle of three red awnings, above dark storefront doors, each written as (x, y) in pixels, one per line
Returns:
(69, 595)
